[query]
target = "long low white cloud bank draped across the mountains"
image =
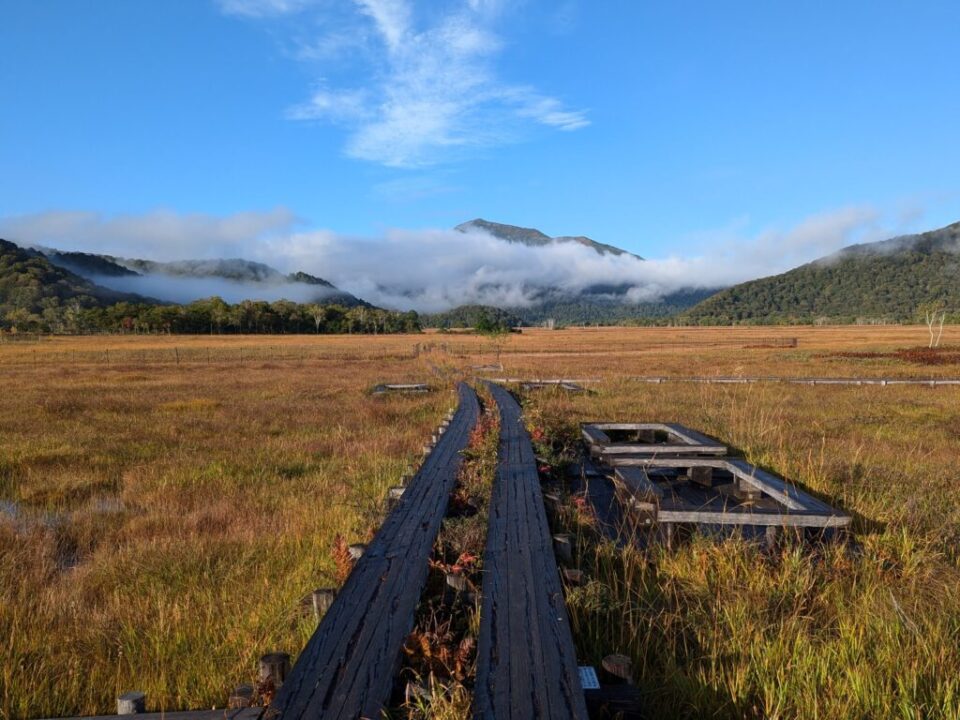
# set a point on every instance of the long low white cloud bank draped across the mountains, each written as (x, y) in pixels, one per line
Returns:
(428, 270)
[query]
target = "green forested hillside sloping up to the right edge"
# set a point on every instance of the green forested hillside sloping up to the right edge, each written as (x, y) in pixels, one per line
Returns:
(883, 280)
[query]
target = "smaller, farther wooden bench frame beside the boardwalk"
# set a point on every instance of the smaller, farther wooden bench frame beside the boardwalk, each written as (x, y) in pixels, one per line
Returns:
(660, 439)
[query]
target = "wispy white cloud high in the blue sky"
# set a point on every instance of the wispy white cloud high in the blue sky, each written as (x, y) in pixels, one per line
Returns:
(429, 90)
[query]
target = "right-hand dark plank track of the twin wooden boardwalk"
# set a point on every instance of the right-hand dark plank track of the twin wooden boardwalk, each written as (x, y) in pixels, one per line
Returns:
(526, 661)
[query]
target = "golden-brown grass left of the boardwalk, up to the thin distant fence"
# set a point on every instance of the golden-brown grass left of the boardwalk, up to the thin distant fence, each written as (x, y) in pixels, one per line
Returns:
(160, 524)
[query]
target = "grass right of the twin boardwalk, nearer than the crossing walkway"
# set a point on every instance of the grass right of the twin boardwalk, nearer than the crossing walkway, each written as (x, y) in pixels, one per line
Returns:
(724, 629)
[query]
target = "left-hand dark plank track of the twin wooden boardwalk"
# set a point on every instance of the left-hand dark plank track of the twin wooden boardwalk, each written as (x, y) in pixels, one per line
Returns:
(347, 669)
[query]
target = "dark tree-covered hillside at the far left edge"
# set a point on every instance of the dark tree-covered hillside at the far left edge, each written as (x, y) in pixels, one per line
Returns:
(32, 287)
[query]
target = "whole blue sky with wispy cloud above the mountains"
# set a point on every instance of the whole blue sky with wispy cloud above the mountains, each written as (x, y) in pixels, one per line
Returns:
(664, 128)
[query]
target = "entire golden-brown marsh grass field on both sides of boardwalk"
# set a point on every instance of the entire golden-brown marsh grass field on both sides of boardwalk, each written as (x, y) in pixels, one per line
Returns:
(165, 502)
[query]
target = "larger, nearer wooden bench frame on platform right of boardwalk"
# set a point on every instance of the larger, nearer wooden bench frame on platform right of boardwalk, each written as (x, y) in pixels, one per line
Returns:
(716, 491)
